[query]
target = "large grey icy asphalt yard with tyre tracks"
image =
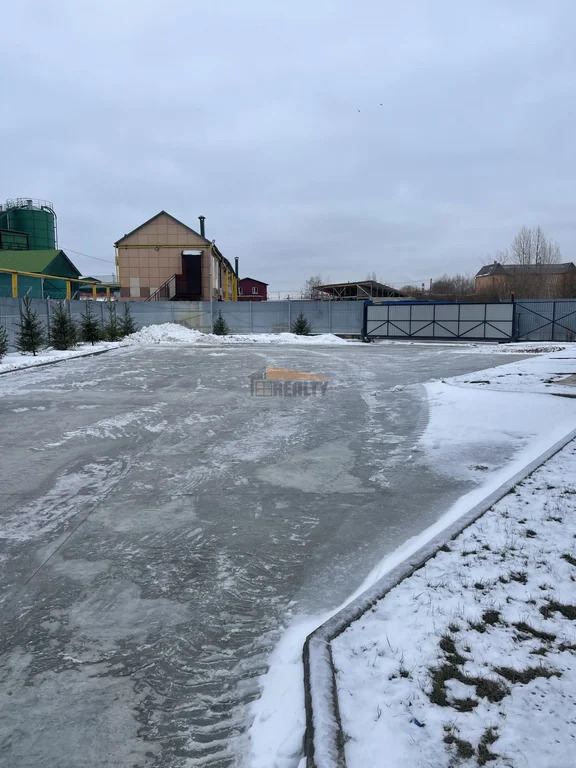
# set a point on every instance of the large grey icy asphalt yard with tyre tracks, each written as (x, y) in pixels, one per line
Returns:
(158, 522)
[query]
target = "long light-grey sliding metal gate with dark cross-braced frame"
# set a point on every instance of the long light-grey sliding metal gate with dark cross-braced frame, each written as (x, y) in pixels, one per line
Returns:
(439, 320)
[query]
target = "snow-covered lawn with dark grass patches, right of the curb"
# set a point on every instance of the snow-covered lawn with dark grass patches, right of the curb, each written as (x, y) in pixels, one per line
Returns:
(473, 658)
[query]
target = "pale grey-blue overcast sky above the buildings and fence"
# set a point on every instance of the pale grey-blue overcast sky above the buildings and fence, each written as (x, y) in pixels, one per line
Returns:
(316, 136)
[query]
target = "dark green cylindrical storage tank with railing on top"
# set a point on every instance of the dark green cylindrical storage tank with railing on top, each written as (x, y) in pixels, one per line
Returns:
(34, 217)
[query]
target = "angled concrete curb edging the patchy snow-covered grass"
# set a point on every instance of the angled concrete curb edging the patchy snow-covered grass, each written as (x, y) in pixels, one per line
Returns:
(324, 738)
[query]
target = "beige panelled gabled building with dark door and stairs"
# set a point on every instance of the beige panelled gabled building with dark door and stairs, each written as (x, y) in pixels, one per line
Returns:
(164, 259)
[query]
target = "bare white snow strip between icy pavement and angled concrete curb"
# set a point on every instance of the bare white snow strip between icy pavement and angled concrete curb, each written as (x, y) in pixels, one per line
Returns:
(500, 416)
